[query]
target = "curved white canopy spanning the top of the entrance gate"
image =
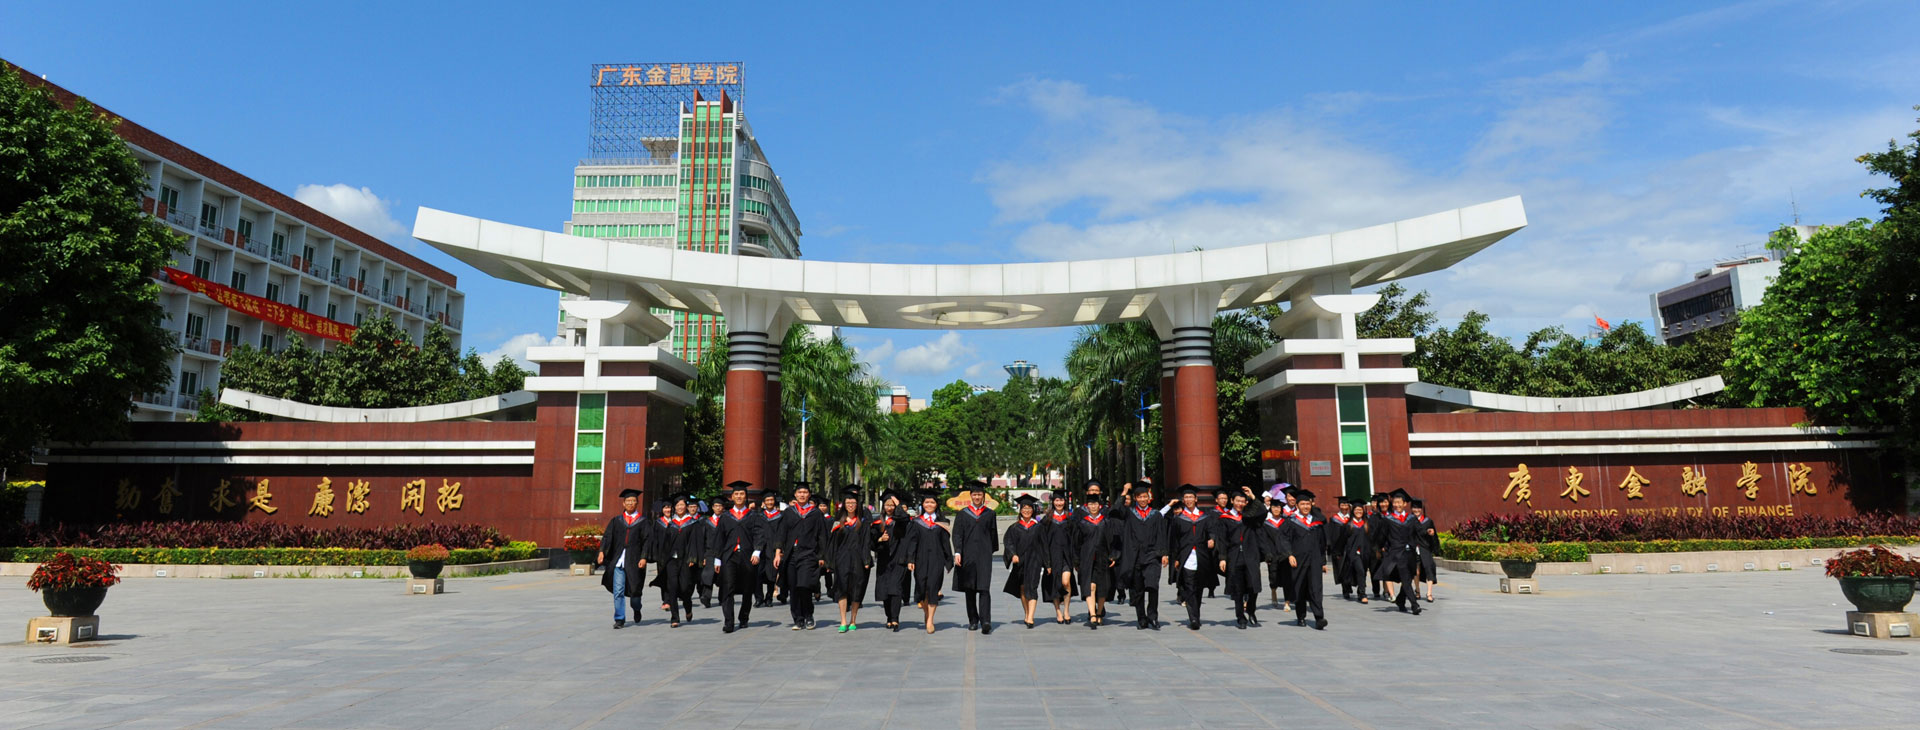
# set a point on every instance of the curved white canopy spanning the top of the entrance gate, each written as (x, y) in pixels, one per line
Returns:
(967, 297)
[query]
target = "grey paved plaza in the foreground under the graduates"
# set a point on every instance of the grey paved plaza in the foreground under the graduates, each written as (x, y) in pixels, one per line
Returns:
(539, 650)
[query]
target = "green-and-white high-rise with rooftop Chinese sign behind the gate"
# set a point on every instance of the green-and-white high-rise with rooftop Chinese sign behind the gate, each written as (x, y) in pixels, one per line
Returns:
(677, 164)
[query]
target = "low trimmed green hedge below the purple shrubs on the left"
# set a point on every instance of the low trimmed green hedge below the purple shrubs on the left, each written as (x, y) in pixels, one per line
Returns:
(266, 556)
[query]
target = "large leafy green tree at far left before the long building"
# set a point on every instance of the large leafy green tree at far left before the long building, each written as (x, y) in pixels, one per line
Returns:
(80, 328)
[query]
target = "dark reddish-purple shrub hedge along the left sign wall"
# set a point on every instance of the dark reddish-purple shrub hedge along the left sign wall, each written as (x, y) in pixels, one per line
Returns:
(249, 535)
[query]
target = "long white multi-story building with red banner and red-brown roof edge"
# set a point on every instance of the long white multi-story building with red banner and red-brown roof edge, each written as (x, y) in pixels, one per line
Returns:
(262, 268)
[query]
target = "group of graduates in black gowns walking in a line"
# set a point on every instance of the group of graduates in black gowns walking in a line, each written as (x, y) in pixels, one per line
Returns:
(761, 552)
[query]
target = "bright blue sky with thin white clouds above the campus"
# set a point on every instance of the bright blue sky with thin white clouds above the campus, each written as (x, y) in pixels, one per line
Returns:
(1646, 139)
